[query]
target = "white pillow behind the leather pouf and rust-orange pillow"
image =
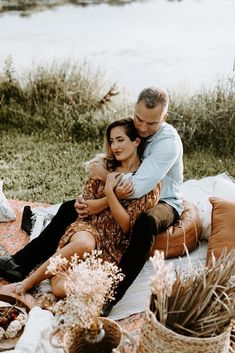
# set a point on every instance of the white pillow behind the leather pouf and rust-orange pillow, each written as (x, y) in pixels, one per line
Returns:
(199, 191)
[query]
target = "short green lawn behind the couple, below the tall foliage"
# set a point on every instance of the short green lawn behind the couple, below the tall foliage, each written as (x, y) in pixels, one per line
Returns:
(38, 168)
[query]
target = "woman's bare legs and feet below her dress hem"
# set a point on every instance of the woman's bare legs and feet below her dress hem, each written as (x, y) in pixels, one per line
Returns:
(80, 243)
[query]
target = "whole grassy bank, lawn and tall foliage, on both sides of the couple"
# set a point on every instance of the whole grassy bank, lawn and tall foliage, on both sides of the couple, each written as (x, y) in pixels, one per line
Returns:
(54, 120)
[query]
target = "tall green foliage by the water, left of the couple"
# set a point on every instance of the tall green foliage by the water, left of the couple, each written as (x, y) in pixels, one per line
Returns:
(61, 99)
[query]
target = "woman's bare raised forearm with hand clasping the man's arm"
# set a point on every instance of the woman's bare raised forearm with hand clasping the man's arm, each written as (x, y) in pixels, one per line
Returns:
(118, 211)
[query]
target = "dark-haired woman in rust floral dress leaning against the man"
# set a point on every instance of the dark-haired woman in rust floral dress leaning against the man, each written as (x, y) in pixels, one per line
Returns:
(109, 230)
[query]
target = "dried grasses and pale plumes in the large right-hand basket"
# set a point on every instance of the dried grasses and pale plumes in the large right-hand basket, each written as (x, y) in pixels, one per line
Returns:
(201, 303)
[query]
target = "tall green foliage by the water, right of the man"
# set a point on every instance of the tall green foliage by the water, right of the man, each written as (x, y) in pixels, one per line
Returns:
(207, 119)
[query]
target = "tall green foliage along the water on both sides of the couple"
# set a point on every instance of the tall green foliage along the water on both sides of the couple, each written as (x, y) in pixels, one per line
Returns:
(70, 102)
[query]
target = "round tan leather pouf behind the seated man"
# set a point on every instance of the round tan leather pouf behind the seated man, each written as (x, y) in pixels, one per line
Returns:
(185, 232)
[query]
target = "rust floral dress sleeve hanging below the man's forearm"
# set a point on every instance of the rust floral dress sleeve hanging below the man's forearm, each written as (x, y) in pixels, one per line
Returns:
(138, 206)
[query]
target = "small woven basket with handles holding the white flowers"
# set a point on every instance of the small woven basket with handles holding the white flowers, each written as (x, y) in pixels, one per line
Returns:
(114, 340)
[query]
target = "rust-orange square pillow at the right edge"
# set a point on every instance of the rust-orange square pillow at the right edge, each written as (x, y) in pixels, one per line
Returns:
(222, 227)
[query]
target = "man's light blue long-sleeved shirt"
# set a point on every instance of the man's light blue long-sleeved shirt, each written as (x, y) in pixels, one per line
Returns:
(162, 162)
